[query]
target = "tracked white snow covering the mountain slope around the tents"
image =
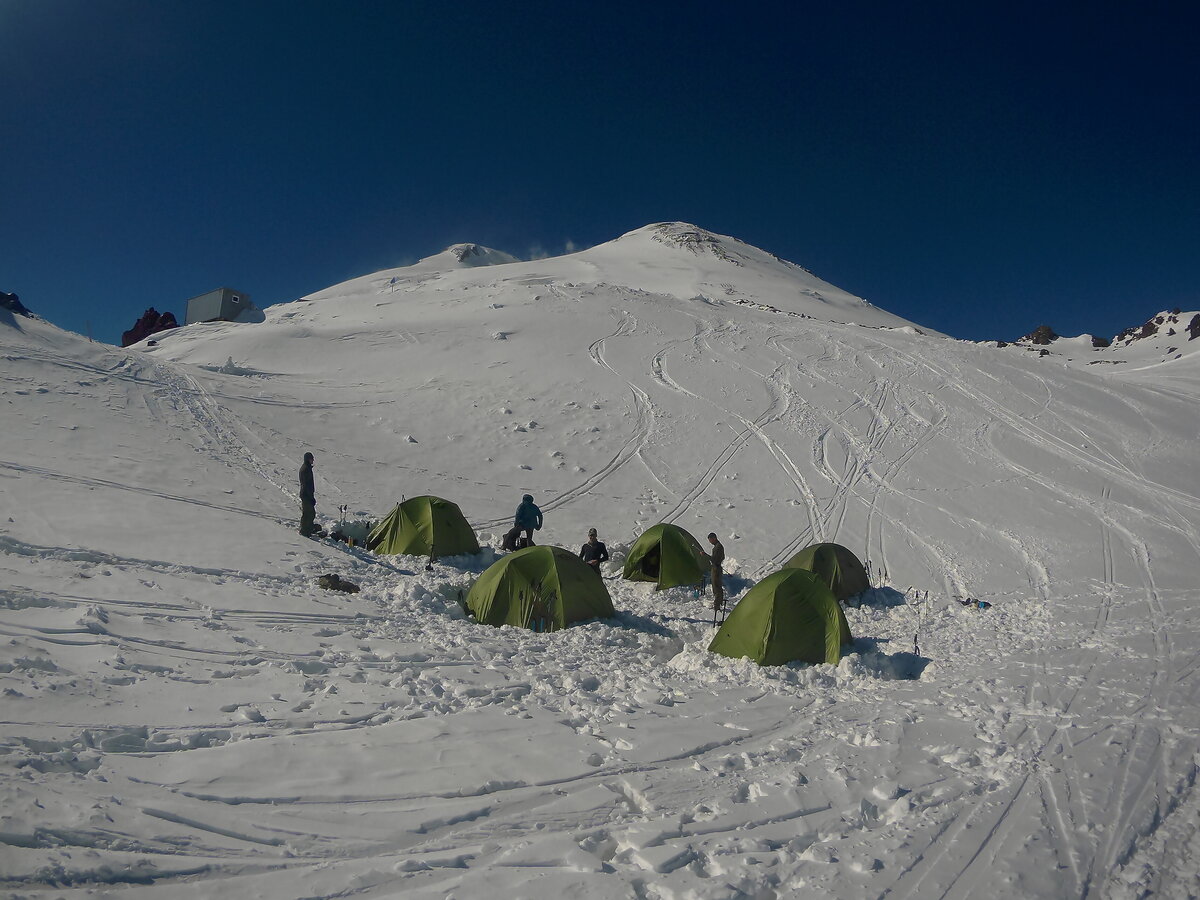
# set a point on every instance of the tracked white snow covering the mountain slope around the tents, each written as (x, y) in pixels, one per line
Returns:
(187, 715)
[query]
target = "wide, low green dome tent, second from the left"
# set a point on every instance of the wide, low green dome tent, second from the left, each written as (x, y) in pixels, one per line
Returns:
(544, 589)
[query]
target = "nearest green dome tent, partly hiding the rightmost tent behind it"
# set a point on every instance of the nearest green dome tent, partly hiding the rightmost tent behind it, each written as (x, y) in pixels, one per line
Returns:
(787, 617)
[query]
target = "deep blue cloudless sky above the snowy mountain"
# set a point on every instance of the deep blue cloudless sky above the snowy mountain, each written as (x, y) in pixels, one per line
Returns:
(977, 167)
